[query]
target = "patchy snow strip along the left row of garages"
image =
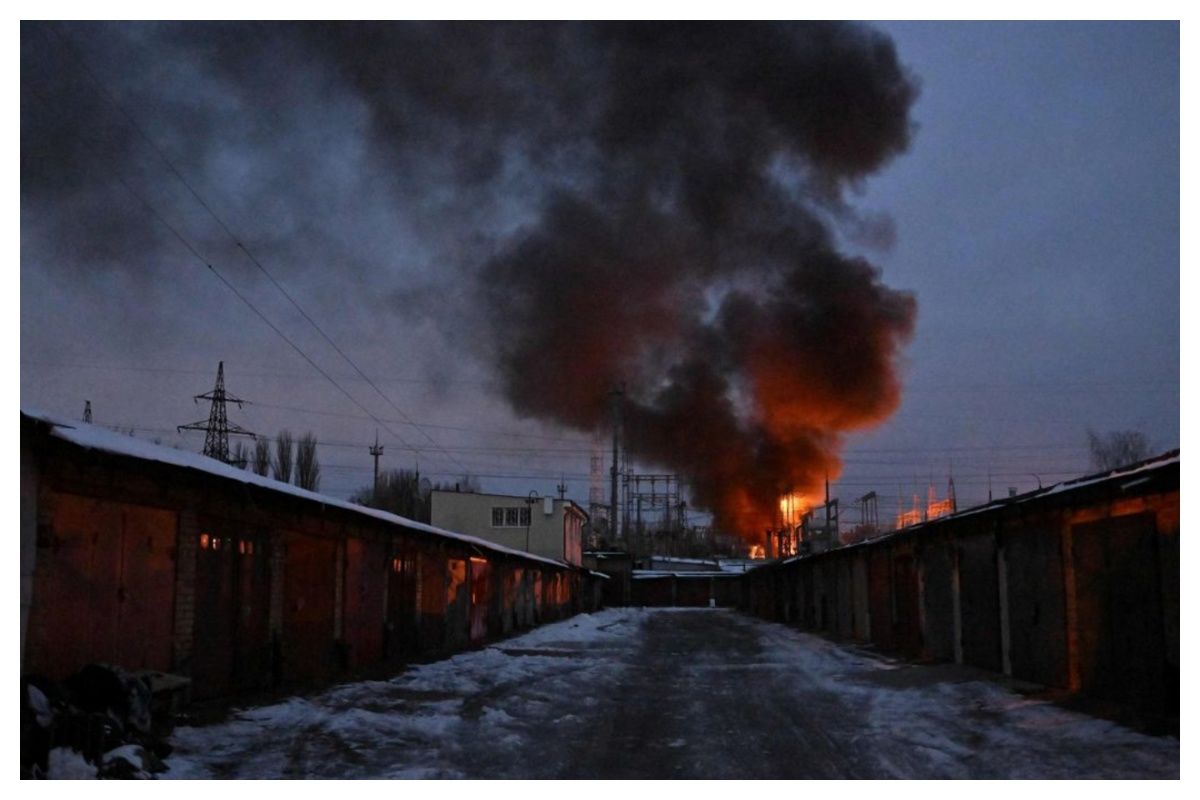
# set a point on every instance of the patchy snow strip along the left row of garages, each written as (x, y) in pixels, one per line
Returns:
(419, 724)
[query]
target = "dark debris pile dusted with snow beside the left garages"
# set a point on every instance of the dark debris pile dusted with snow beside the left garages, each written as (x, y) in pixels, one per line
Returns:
(112, 721)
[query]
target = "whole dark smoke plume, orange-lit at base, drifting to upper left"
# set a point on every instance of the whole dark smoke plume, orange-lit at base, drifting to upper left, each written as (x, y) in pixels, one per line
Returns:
(638, 204)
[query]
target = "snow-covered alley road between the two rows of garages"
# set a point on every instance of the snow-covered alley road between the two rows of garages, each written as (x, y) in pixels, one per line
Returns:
(674, 694)
